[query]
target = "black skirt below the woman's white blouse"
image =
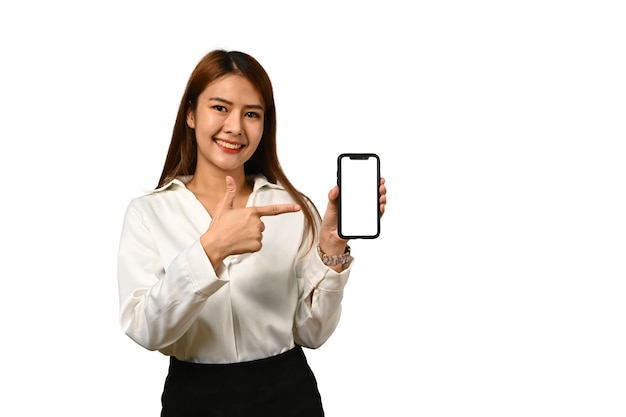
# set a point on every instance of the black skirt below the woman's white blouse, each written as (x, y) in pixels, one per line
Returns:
(282, 385)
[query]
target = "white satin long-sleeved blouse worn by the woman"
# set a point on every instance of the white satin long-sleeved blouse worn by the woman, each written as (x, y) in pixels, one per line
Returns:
(255, 305)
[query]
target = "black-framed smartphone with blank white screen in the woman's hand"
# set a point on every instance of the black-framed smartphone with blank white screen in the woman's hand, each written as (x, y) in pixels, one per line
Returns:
(358, 178)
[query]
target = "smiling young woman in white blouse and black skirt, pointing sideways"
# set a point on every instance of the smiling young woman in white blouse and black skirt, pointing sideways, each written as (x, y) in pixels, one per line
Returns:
(220, 267)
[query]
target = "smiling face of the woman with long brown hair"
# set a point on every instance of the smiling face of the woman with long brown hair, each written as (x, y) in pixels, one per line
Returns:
(228, 122)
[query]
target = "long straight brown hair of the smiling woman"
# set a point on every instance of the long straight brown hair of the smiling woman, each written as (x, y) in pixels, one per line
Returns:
(182, 154)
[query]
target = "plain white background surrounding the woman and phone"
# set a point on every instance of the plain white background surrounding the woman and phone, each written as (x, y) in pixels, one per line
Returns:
(497, 286)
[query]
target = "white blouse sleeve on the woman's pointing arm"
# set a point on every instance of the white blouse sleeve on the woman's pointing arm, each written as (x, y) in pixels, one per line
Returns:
(158, 303)
